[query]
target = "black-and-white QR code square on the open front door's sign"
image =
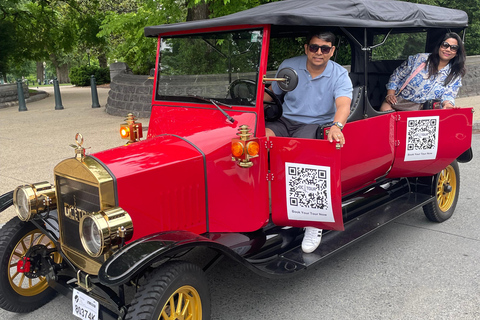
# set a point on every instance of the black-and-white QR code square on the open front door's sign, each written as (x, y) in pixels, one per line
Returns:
(307, 188)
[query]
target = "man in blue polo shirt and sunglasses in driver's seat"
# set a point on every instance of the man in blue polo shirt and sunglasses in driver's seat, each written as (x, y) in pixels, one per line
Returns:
(323, 95)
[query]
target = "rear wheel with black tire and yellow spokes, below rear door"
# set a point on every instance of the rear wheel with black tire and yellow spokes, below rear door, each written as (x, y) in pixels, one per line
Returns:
(447, 188)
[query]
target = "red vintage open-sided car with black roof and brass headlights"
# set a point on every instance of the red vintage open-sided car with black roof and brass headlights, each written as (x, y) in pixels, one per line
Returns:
(206, 176)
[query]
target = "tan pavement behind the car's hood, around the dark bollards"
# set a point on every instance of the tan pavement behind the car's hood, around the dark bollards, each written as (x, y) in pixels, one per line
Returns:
(32, 142)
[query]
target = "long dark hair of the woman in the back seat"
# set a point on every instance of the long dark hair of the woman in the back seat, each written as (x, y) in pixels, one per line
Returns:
(457, 64)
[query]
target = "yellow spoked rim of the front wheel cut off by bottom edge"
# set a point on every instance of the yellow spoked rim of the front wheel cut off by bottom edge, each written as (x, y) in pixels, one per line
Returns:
(183, 304)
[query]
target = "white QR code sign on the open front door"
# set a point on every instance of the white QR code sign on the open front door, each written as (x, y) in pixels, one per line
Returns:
(308, 192)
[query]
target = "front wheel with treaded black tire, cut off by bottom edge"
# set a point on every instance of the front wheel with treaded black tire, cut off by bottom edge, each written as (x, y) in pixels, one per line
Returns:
(169, 286)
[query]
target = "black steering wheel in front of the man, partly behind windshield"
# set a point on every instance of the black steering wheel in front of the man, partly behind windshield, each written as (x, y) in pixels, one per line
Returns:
(245, 89)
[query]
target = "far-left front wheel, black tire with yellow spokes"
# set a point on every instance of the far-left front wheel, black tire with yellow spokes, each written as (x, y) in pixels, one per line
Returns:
(17, 292)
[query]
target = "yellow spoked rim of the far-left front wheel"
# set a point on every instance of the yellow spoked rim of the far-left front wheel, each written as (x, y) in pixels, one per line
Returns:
(19, 282)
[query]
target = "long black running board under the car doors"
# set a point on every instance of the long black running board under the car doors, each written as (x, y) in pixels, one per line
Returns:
(333, 241)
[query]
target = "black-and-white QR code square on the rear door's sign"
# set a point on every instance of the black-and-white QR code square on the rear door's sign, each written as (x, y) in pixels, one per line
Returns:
(422, 134)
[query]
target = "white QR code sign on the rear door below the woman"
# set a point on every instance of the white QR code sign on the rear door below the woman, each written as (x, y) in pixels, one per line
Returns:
(422, 138)
